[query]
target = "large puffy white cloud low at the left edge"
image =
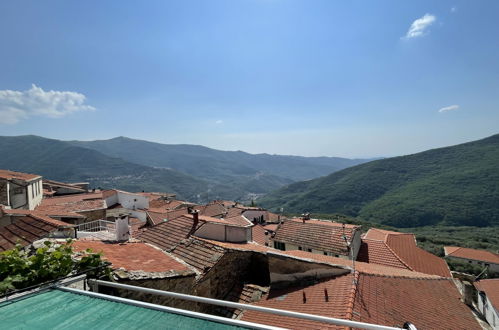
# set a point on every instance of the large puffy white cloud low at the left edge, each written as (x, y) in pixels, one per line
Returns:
(19, 105)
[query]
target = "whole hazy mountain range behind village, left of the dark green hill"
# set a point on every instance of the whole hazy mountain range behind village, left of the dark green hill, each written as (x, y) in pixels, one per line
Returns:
(193, 172)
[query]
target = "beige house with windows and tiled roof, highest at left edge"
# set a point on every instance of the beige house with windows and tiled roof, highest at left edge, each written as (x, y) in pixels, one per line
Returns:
(20, 190)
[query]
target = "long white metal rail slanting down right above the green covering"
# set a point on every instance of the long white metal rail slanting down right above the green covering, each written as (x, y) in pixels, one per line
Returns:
(311, 317)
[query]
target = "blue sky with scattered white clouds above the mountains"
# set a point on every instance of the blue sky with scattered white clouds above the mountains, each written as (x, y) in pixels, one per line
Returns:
(349, 78)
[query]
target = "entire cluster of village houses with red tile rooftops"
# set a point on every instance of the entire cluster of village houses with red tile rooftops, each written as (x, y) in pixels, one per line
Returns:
(229, 251)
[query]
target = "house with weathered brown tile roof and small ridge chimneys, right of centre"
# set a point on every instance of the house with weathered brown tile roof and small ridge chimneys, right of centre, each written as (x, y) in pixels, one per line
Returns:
(318, 236)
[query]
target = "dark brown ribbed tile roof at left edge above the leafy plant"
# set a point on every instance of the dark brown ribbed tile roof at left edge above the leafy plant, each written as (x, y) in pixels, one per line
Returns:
(27, 229)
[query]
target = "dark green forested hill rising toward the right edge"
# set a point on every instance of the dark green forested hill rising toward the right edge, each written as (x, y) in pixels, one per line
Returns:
(457, 185)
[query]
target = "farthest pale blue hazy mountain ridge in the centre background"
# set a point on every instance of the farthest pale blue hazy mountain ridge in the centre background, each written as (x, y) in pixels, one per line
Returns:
(217, 165)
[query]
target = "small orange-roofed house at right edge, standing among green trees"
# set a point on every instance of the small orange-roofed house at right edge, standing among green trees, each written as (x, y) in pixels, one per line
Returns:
(481, 258)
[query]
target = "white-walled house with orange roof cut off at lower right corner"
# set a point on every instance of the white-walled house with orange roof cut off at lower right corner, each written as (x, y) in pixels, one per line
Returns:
(488, 300)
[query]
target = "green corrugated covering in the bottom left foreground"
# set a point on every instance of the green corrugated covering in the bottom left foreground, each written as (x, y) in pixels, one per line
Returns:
(56, 309)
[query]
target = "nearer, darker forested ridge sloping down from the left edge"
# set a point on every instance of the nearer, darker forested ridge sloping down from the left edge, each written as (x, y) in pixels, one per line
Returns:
(62, 161)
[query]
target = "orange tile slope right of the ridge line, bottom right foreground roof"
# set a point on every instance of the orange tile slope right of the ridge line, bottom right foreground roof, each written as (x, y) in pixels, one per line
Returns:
(427, 303)
